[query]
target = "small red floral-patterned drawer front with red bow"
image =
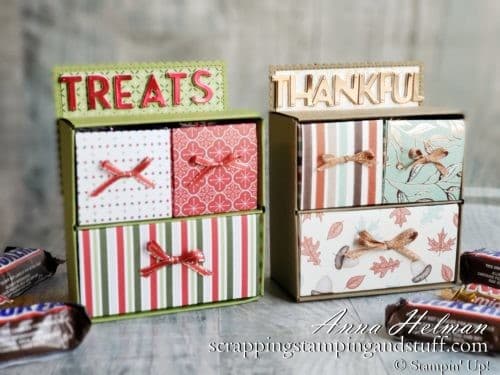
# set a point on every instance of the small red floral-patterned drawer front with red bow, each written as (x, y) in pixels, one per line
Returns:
(215, 169)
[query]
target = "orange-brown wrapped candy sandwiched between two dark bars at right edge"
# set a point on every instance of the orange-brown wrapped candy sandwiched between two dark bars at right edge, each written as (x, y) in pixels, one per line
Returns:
(474, 293)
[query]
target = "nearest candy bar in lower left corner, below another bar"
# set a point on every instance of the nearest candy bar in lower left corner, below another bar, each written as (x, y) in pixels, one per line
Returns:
(41, 328)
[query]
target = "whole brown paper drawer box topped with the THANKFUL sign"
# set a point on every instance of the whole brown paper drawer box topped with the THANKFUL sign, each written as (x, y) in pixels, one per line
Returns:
(366, 193)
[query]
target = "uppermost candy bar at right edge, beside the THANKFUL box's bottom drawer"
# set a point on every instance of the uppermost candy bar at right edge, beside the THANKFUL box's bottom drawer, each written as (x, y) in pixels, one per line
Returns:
(481, 266)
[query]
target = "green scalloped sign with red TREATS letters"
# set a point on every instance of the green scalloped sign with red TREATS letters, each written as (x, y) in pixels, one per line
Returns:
(136, 89)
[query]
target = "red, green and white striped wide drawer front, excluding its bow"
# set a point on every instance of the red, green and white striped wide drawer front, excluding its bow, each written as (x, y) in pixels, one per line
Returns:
(110, 260)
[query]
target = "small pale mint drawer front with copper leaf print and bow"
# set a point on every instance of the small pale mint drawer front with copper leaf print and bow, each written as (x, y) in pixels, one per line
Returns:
(424, 160)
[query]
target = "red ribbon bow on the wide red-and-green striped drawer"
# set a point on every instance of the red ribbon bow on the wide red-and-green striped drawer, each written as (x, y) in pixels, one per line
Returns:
(192, 259)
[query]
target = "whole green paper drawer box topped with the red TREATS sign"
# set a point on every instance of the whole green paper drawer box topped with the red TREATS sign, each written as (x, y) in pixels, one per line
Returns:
(163, 189)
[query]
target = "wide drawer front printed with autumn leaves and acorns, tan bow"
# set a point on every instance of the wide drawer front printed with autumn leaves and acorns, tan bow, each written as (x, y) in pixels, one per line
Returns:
(372, 249)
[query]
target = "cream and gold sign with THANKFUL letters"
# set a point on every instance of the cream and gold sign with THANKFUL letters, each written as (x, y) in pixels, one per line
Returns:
(345, 87)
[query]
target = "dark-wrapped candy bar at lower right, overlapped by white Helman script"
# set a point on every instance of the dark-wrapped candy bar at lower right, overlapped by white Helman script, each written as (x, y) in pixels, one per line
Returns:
(446, 321)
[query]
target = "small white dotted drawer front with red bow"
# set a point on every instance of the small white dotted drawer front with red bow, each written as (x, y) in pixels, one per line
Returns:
(123, 175)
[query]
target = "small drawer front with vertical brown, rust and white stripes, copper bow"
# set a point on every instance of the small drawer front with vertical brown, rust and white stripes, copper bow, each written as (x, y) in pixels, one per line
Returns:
(340, 164)
